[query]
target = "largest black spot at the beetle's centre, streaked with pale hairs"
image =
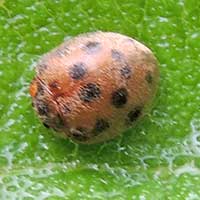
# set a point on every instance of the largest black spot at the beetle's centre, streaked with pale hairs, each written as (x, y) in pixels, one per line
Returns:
(89, 92)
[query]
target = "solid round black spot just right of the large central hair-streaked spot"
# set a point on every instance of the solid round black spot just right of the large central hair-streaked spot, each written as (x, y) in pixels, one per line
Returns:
(119, 97)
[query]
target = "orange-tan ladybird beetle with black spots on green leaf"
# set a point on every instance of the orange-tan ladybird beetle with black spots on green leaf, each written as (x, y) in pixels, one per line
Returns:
(94, 86)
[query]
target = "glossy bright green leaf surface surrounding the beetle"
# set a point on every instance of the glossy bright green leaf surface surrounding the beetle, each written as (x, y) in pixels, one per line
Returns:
(157, 159)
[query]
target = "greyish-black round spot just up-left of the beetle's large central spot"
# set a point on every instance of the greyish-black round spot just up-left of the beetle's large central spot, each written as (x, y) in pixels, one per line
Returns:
(78, 71)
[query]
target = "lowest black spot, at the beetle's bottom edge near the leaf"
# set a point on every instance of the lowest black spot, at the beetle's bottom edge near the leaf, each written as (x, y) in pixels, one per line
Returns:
(79, 134)
